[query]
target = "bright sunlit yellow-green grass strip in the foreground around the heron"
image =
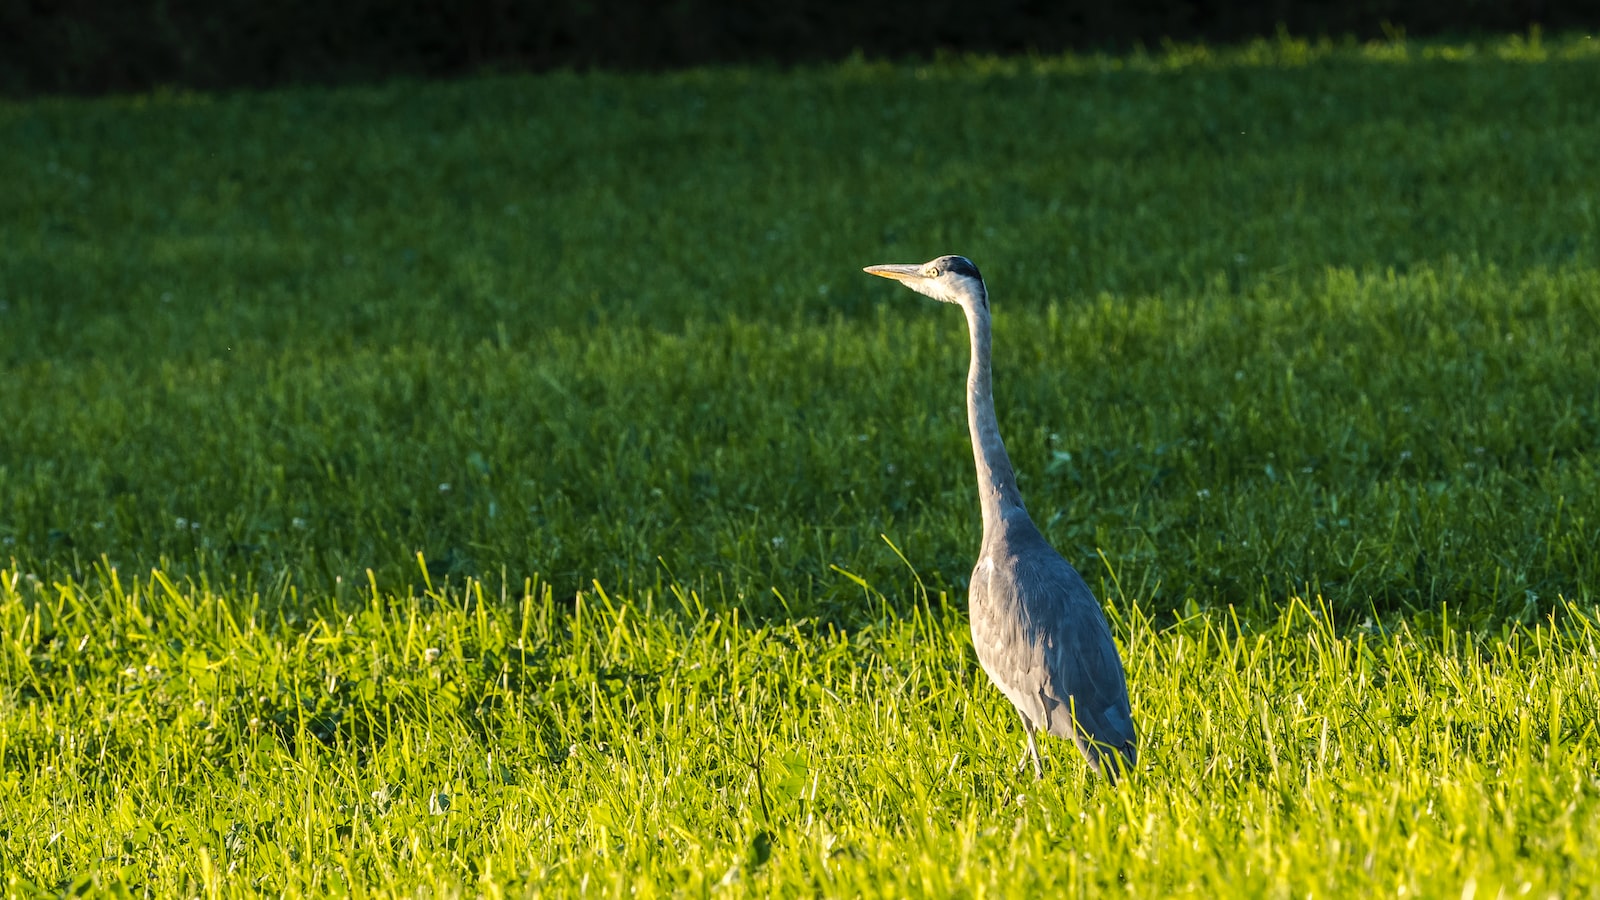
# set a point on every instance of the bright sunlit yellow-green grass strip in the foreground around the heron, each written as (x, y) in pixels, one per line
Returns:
(178, 741)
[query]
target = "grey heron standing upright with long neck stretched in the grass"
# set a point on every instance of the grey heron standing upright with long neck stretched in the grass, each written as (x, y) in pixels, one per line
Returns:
(1038, 629)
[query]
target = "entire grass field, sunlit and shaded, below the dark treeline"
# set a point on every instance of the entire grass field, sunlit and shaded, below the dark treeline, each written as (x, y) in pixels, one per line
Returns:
(514, 486)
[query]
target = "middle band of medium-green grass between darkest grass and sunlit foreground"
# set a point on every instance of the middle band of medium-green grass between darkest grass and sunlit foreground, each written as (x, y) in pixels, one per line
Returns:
(1396, 443)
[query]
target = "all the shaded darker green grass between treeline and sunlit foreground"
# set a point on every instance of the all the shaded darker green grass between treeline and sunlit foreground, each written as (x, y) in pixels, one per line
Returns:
(1268, 319)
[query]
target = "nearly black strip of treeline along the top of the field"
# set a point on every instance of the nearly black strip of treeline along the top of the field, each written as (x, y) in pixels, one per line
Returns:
(119, 46)
